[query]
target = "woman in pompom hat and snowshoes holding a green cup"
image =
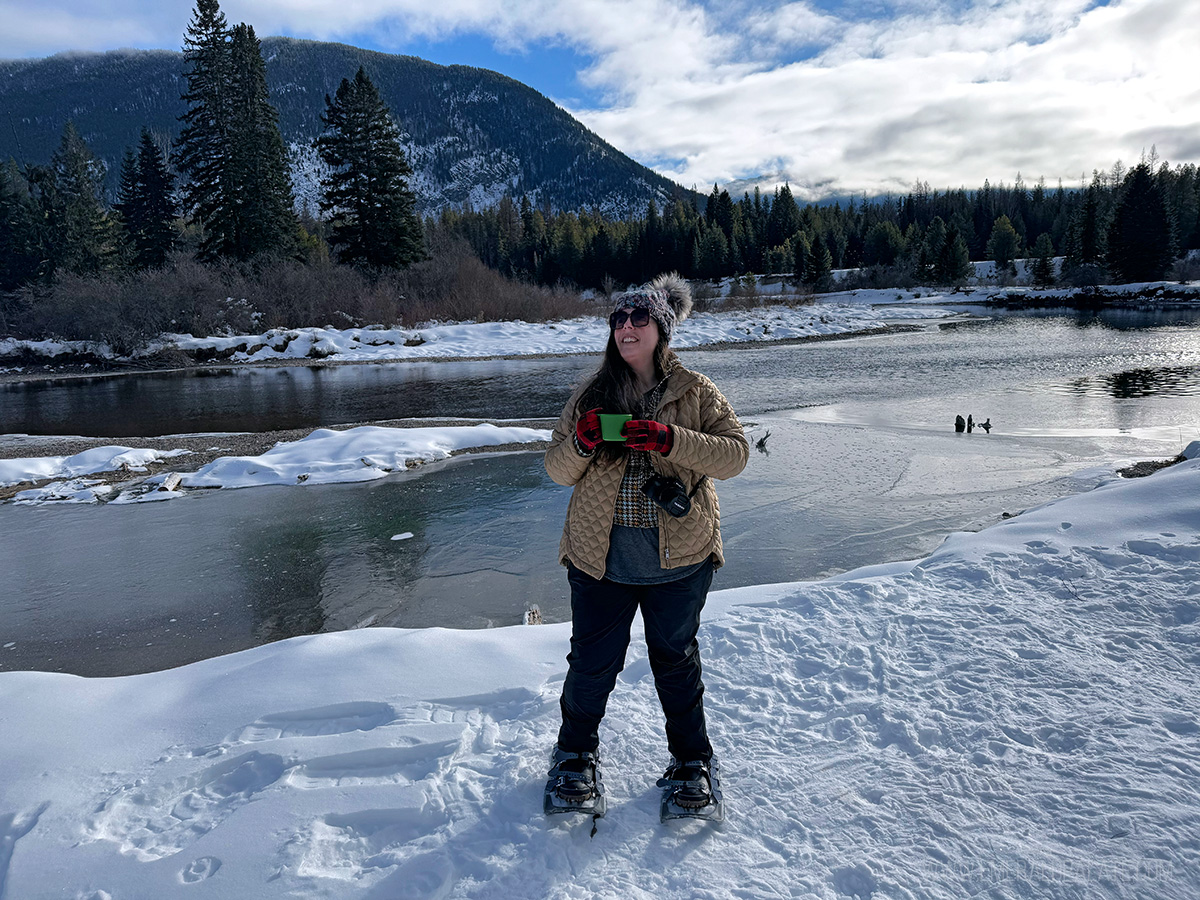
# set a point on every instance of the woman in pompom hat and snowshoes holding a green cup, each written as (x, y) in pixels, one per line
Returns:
(625, 551)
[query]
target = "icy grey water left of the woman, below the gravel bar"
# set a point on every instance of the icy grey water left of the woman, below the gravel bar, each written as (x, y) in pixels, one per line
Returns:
(104, 591)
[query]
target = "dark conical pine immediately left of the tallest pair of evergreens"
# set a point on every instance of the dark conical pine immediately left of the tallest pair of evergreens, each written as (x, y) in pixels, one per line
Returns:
(147, 206)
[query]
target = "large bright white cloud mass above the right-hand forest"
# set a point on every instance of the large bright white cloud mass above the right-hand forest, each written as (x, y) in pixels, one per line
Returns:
(1051, 89)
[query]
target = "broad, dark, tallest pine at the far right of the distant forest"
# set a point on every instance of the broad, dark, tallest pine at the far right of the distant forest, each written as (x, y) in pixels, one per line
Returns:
(1142, 237)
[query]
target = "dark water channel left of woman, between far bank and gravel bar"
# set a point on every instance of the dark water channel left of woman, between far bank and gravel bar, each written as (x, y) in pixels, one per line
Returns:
(289, 398)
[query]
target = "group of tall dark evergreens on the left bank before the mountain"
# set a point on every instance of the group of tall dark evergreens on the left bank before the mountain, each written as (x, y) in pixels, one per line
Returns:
(223, 193)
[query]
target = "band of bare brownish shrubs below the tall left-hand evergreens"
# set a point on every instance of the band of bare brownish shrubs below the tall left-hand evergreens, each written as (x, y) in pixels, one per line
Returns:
(130, 310)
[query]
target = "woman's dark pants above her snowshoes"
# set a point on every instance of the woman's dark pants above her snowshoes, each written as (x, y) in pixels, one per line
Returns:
(602, 617)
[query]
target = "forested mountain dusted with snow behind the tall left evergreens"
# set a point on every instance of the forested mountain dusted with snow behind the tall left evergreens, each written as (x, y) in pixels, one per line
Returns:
(472, 135)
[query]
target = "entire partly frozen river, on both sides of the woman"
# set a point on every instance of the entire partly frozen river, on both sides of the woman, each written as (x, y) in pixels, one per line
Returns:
(862, 466)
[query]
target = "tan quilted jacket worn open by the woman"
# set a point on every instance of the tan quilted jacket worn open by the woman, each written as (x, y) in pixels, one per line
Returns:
(709, 441)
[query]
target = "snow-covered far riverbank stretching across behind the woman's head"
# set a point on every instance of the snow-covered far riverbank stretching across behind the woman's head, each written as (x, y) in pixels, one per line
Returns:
(782, 317)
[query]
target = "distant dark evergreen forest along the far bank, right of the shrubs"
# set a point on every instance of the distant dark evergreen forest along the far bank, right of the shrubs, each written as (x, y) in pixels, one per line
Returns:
(1129, 225)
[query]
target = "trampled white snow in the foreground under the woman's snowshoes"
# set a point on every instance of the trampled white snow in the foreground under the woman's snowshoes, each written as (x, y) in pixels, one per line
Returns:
(1013, 717)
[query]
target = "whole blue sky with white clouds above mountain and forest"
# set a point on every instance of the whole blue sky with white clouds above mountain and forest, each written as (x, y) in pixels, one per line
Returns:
(835, 98)
